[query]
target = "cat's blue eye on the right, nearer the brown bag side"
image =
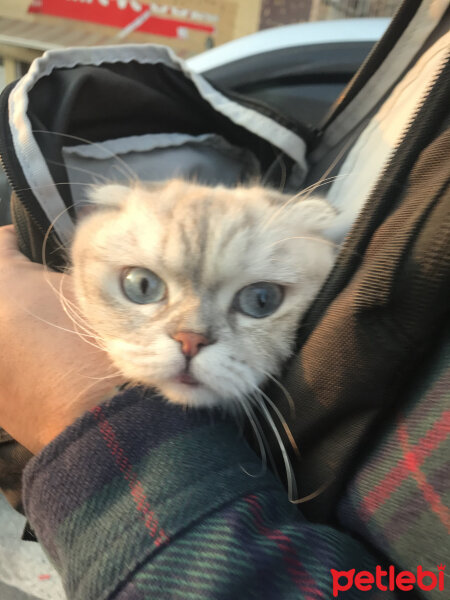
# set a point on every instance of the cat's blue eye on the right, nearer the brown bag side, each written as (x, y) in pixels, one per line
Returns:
(259, 300)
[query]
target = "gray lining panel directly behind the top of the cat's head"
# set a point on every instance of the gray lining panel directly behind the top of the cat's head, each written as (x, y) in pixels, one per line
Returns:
(207, 158)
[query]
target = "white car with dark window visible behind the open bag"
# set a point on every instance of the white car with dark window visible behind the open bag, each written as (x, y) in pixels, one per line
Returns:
(298, 69)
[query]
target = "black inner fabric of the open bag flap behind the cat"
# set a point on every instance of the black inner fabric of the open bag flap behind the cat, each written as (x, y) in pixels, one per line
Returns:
(119, 100)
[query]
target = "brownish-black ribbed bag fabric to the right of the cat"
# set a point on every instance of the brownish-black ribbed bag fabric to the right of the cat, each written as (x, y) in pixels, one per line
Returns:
(378, 314)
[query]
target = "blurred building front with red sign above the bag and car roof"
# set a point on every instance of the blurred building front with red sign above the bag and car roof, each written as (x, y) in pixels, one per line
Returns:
(29, 27)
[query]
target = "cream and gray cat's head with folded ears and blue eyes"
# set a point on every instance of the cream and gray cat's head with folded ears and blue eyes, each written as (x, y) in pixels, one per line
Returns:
(197, 291)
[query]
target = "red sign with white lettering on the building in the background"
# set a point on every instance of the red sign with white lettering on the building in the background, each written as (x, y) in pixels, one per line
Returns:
(153, 17)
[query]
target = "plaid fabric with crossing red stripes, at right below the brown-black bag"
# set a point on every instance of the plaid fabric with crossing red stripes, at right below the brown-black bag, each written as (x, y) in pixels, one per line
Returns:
(400, 499)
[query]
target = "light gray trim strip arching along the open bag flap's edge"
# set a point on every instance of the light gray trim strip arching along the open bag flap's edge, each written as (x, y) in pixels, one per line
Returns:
(27, 149)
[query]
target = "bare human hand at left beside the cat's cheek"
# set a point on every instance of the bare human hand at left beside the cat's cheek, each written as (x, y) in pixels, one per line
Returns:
(49, 375)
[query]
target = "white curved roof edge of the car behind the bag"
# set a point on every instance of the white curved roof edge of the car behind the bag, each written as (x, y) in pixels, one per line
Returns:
(298, 34)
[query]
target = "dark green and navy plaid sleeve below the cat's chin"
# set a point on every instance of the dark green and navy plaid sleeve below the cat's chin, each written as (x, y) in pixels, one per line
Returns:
(141, 499)
